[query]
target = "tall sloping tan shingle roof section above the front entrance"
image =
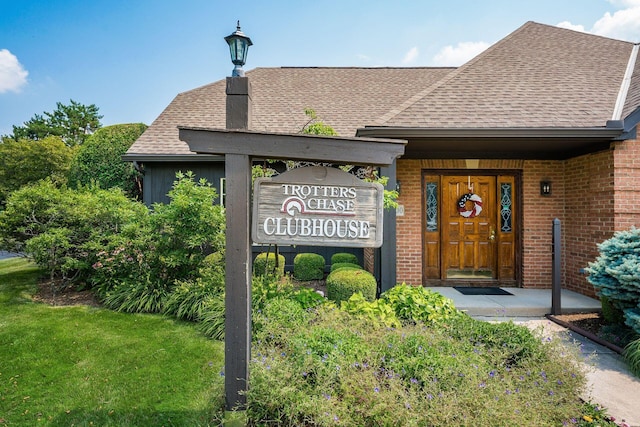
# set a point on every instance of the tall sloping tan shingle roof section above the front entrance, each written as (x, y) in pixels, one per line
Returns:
(538, 76)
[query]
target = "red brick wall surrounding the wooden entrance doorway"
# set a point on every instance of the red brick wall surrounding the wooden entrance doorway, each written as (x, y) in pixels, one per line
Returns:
(593, 195)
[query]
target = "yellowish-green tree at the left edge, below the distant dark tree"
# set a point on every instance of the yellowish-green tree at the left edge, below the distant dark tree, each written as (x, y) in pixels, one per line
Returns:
(25, 161)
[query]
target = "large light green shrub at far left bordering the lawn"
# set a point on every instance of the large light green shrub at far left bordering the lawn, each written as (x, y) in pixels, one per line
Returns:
(62, 229)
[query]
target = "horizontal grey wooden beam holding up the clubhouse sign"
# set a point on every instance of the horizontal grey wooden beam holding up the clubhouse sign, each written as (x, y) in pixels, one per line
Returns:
(357, 151)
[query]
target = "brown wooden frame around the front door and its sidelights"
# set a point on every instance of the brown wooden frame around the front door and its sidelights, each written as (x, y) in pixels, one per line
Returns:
(518, 229)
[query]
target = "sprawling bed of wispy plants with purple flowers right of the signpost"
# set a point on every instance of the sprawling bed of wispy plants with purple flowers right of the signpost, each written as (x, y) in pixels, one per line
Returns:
(335, 369)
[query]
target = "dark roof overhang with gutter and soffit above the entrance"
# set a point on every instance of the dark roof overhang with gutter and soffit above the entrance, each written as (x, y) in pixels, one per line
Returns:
(503, 143)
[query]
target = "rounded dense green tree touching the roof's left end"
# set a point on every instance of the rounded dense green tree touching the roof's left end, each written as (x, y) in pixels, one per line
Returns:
(99, 159)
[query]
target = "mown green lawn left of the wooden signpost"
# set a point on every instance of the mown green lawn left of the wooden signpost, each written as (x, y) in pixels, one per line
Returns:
(86, 366)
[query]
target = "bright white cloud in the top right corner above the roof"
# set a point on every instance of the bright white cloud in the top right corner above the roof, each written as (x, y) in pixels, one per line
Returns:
(623, 24)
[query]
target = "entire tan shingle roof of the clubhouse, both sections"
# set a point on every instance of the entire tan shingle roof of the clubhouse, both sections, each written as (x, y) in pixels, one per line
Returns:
(537, 77)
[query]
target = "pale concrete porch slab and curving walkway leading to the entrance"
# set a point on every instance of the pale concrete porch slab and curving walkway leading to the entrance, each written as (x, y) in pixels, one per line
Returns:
(610, 383)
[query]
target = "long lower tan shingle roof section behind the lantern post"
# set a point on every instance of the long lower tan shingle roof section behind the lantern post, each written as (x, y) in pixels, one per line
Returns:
(345, 98)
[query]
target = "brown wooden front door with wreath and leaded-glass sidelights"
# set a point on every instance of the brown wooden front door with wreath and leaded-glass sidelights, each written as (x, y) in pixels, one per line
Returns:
(469, 229)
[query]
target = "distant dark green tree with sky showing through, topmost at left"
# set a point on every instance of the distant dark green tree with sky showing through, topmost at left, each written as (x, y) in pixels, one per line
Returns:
(73, 123)
